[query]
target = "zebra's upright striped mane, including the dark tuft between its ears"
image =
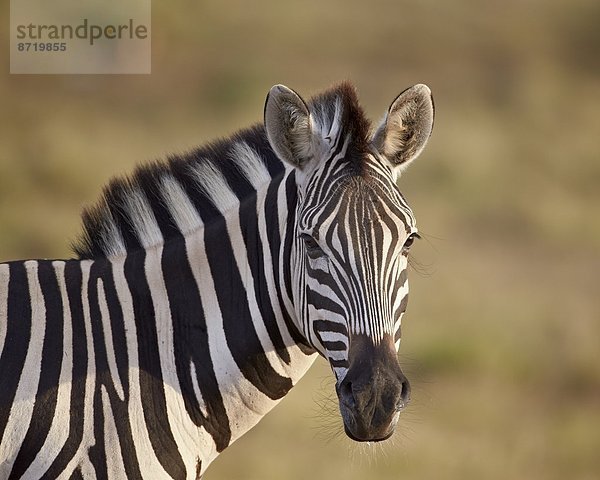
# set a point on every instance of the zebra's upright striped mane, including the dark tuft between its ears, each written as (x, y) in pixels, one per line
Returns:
(165, 199)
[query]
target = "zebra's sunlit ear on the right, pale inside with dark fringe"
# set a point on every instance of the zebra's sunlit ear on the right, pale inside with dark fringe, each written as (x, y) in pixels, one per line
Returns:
(404, 131)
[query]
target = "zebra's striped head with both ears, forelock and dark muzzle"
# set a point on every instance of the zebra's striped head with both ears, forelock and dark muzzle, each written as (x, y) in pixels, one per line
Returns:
(352, 234)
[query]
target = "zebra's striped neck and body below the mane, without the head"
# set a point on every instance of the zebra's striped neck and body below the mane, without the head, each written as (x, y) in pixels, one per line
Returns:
(174, 351)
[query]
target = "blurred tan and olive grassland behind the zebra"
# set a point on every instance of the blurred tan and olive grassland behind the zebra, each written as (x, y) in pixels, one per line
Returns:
(502, 336)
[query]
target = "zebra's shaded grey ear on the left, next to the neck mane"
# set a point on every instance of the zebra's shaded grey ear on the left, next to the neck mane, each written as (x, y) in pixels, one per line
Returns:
(288, 126)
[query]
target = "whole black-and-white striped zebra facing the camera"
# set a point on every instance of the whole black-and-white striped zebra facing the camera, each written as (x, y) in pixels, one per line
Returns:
(204, 286)
